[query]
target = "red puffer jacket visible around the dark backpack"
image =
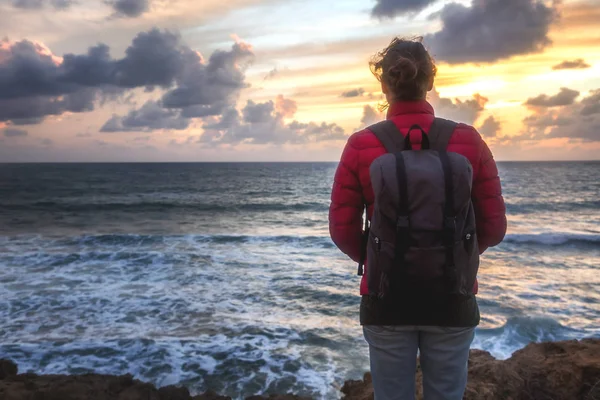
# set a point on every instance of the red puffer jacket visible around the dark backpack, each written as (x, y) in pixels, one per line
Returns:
(352, 185)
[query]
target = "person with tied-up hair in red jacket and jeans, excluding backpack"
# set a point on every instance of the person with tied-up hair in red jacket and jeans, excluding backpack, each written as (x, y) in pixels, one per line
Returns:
(439, 329)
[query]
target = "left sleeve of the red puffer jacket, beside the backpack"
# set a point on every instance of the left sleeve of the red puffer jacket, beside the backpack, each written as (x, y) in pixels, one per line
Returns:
(345, 211)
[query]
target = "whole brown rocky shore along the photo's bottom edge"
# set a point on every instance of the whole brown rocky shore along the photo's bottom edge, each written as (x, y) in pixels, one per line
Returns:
(567, 370)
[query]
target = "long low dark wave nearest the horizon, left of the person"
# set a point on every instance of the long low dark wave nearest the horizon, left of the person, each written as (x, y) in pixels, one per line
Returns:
(140, 207)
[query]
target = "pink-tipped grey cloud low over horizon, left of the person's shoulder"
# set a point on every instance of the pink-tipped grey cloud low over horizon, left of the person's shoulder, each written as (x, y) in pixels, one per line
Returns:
(264, 123)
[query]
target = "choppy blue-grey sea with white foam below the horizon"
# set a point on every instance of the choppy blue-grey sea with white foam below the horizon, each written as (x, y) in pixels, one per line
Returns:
(223, 276)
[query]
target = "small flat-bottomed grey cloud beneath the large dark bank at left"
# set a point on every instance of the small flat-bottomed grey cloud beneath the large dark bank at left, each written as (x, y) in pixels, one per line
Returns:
(151, 116)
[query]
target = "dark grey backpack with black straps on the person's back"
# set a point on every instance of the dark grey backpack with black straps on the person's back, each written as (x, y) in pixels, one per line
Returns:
(422, 234)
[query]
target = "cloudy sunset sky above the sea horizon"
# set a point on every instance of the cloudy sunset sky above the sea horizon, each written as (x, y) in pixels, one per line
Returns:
(286, 80)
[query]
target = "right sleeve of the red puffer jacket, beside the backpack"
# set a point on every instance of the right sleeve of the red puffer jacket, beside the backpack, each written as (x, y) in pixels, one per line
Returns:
(490, 210)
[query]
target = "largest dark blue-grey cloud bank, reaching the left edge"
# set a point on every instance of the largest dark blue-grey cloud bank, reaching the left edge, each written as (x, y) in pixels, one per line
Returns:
(35, 84)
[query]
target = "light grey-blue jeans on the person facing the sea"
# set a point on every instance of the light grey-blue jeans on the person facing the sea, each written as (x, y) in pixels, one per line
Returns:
(444, 355)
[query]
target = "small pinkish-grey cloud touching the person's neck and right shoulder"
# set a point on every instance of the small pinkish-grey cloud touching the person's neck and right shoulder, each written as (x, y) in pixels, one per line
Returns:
(460, 111)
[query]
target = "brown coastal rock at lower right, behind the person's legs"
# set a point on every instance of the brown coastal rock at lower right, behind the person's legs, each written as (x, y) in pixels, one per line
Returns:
(559, 371)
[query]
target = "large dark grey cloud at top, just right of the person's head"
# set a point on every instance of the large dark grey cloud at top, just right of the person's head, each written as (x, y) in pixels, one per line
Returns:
(491, 30)
